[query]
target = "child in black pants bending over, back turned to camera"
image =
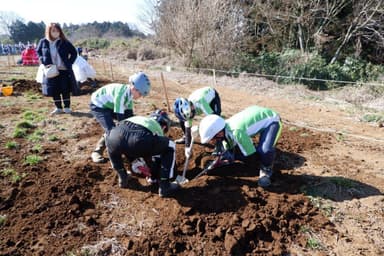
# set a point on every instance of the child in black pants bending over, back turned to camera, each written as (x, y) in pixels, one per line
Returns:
(143, 137)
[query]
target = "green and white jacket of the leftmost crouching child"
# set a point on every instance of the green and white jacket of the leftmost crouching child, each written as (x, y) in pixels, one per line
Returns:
(116, 97)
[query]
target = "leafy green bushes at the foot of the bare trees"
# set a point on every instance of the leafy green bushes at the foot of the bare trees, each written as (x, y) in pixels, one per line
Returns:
(292, 65)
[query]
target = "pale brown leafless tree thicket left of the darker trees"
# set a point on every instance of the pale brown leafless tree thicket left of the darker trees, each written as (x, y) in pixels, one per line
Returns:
(204, 33)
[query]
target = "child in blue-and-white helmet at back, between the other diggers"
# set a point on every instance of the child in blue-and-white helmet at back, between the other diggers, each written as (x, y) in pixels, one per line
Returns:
(205, 101)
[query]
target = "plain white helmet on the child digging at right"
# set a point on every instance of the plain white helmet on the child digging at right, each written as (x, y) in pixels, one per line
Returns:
(210, 126)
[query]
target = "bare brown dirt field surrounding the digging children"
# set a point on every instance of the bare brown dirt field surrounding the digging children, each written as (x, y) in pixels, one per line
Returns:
(326, 197)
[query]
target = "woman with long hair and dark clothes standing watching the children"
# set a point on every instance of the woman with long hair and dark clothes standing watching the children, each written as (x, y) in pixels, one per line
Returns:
(55, 49)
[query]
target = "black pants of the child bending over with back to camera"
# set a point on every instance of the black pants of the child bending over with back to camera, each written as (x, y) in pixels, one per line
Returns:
(135, 141)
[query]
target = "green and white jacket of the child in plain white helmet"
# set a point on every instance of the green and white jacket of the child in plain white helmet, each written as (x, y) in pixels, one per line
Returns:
(241, 127)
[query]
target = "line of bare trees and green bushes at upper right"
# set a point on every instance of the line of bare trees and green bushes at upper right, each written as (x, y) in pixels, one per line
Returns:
(284, 37)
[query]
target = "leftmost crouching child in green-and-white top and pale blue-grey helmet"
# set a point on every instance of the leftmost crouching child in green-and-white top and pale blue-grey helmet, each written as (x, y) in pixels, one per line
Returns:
(115, 101)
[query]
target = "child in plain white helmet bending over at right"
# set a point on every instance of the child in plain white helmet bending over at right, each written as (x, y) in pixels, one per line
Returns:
(237, 132)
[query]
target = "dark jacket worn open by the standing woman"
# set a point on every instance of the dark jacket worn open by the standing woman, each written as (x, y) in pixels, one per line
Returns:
(66, 50)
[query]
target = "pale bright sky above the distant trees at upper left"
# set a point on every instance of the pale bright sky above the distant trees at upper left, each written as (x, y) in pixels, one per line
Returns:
(79, 11)
